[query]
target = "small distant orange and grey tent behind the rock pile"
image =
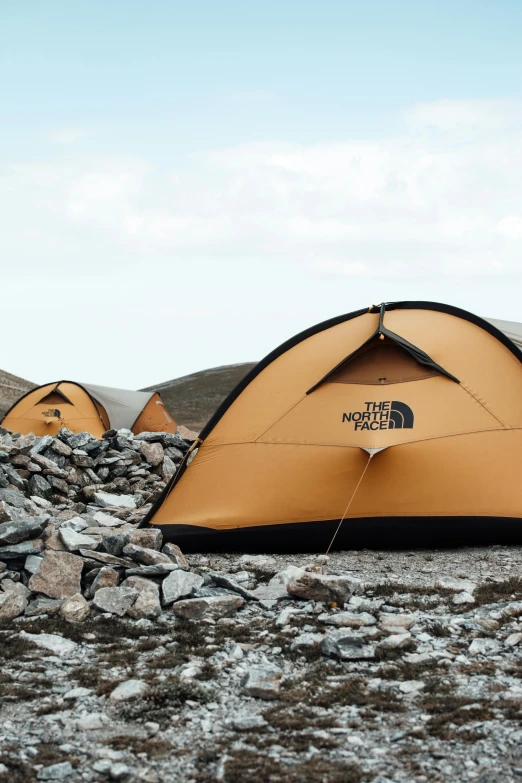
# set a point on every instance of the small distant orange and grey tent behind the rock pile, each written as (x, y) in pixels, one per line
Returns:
(95, 409)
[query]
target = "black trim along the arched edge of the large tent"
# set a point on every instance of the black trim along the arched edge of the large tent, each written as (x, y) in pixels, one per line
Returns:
(321, 327)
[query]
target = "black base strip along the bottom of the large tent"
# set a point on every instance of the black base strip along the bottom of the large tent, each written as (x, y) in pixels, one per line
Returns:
(376, 533)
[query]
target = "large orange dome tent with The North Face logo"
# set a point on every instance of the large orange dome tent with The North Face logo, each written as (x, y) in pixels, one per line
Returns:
(406, 411)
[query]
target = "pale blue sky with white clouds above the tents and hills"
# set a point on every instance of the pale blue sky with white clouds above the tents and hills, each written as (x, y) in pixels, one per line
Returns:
(187, 184)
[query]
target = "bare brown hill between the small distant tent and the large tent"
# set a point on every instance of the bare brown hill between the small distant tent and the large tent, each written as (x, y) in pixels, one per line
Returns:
(193, 399)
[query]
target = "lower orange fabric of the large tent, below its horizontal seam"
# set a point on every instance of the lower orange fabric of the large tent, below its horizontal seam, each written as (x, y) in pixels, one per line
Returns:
(247, 485)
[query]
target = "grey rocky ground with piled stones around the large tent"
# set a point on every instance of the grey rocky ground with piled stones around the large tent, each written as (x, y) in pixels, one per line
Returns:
(125, 660)
